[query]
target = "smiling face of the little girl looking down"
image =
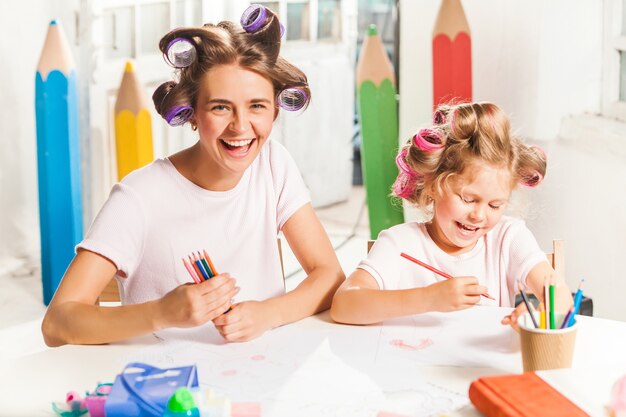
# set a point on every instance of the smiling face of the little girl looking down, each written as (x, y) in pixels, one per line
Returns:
(469, 207)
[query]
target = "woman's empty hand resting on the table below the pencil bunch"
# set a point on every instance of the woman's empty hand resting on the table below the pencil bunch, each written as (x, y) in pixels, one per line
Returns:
(245, 321)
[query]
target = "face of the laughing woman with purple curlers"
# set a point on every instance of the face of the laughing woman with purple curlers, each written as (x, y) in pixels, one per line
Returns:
(234, 114)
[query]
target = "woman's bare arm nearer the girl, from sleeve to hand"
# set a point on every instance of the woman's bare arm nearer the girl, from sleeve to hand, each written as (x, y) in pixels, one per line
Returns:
(310, 244)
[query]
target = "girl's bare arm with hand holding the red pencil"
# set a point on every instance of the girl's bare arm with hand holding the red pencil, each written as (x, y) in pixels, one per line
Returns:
(360, 301)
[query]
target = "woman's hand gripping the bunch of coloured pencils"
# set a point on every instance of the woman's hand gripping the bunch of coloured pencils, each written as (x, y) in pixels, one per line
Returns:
(191, 305)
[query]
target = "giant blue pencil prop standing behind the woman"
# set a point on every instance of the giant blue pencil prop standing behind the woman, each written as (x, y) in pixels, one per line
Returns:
(58, 159)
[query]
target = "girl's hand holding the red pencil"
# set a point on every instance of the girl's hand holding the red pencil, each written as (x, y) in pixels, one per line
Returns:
(455, 294)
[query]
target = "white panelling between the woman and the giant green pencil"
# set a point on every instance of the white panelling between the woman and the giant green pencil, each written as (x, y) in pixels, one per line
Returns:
(320, 138)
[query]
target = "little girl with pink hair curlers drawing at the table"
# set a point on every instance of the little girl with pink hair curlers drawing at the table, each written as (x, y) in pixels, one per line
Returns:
(462, 170)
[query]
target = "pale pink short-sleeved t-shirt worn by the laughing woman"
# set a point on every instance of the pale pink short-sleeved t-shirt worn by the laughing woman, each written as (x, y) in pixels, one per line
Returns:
(155, 217)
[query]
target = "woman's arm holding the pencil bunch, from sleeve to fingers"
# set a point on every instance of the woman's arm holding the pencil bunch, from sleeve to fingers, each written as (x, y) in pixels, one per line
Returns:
(74, 316)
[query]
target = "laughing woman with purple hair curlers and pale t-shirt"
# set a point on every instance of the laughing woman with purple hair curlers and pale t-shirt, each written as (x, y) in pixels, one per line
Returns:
(229, 194)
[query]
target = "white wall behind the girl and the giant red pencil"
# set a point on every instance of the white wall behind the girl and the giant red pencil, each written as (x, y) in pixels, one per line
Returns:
(542, 62)
